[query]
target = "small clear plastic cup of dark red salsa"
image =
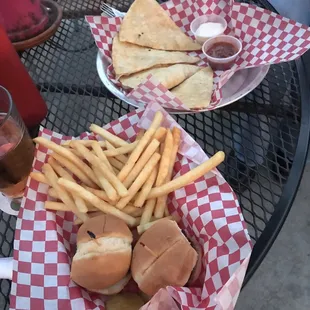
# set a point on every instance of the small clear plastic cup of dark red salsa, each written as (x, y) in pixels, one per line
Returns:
(222, 51)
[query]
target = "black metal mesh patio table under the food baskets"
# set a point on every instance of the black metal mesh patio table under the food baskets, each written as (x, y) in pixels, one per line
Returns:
(265, 135)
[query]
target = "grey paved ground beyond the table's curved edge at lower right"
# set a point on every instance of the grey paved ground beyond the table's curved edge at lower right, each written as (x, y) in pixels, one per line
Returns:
(283, 279)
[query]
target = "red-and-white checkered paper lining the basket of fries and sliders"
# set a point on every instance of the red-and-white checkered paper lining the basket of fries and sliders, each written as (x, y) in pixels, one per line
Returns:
(210, 216)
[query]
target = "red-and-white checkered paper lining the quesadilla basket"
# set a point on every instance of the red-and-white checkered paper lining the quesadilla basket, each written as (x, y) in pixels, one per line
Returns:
(267, 38)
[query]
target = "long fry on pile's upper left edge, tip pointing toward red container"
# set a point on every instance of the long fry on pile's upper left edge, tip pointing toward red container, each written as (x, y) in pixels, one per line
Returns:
(69, 155)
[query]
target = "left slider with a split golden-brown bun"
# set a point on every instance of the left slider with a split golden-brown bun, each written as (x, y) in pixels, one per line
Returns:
(103, 253)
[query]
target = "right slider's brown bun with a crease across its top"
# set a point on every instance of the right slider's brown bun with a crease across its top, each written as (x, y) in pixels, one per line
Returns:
(162, 257)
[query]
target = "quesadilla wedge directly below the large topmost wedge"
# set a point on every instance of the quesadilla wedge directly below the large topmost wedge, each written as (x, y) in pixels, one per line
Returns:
(129, 58)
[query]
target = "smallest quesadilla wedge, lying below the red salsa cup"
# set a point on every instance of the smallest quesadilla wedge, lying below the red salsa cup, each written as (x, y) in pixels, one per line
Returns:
(196, 91)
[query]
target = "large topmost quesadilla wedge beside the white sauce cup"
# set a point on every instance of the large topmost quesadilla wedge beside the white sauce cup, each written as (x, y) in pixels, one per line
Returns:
(147, 24)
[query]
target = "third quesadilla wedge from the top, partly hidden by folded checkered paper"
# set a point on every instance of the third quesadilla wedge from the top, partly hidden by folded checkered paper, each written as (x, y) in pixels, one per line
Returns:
(170, 76)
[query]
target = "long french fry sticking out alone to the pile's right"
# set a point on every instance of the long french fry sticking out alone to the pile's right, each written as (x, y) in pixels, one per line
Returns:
(188, 177)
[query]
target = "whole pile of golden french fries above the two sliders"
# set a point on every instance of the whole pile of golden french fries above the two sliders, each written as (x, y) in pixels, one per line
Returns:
(128, 180)
